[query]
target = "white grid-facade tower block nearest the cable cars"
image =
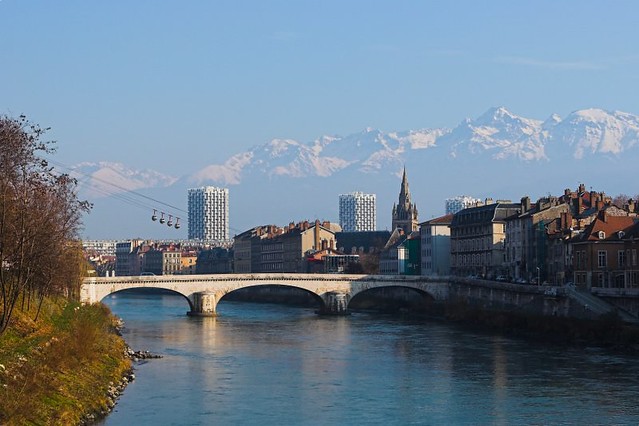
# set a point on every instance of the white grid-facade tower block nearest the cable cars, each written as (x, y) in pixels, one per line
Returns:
(208, 213)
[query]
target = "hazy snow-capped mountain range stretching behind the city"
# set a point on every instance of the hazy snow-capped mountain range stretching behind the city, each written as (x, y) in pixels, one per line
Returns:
(498, 154)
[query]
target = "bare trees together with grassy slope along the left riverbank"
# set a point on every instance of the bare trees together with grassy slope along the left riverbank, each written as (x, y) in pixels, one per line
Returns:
(58, 360)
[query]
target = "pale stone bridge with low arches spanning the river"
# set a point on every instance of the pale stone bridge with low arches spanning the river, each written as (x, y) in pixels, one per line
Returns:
(203, 292)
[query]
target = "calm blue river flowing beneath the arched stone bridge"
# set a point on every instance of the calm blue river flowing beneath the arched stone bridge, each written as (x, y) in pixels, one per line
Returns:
(279, 365)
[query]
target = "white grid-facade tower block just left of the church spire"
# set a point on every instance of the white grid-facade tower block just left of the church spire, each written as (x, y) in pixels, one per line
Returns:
(357, 212)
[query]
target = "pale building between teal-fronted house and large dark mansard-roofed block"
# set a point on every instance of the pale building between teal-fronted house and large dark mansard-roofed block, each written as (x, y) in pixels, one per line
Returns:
(435, 245)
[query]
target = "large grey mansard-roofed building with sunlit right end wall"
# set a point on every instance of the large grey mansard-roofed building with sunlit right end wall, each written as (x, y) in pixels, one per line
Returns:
(477, 239)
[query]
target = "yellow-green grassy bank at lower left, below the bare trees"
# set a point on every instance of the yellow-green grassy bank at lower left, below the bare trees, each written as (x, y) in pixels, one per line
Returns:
(58, 369)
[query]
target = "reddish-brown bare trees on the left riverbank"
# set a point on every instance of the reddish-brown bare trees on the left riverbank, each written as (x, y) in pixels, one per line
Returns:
(39, 215)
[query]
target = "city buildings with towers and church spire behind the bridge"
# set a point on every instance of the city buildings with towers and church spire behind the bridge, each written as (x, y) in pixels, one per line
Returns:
(578, 238)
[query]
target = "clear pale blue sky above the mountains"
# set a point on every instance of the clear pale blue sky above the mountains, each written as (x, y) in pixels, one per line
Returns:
(178, 85)
